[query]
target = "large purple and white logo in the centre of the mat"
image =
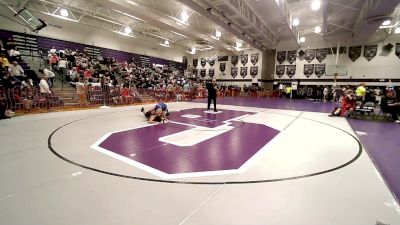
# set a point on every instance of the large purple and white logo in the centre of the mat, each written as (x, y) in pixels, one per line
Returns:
(193, 143)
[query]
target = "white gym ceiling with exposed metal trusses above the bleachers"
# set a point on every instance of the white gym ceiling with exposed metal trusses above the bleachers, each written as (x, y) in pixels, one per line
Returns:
(262, 24)
